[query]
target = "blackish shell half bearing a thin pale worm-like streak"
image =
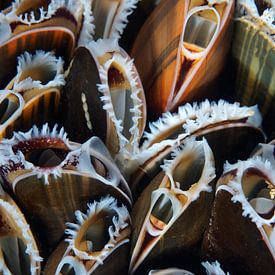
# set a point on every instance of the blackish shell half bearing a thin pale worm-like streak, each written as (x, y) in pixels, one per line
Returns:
(82, 78)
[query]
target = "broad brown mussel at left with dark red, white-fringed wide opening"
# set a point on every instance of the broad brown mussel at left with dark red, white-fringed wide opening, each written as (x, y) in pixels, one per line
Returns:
(52, 177)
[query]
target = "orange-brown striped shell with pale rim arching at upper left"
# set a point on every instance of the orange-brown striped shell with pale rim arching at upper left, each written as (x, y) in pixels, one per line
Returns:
(59, 39)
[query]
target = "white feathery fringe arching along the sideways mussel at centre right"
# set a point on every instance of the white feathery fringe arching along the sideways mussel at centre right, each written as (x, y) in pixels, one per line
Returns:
(196, 116)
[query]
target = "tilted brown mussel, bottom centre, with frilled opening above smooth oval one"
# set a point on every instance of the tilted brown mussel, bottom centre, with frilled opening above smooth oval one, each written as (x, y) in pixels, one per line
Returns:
(164, 215)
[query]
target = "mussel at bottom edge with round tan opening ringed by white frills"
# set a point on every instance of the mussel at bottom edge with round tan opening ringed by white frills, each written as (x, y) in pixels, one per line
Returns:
(98, 243)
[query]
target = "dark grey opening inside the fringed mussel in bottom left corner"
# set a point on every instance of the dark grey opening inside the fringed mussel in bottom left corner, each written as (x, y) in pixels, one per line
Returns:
(12, 250)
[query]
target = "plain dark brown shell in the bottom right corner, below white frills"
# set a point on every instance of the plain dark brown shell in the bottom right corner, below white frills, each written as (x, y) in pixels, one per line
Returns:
(234, 240)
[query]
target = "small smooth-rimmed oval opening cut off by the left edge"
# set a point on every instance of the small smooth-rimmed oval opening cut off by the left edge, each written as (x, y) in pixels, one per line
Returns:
(8, 107)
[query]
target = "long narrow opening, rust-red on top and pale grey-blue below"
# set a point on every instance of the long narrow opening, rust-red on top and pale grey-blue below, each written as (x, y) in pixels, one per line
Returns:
(120, 91)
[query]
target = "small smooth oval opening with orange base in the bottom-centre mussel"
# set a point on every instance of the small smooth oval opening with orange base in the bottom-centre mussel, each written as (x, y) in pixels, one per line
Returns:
(162, 212)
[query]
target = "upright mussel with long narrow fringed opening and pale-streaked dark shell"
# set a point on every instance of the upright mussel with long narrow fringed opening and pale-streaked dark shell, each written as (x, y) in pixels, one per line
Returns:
(120, 119)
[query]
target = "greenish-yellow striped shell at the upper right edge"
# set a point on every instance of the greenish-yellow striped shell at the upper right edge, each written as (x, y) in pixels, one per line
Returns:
(253, 63)
